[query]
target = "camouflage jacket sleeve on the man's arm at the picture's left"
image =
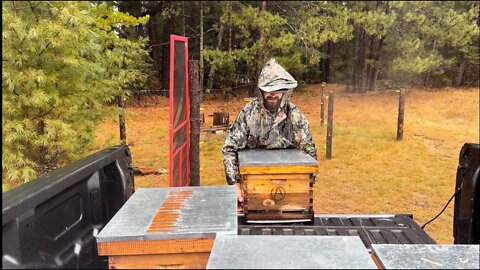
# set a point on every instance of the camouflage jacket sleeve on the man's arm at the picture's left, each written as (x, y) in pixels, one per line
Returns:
(236, 139)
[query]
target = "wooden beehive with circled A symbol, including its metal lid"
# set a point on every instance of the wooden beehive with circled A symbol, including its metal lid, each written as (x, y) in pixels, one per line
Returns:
(277, 183)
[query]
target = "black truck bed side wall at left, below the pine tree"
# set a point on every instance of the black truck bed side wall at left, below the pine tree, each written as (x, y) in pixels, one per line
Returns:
(52, 221)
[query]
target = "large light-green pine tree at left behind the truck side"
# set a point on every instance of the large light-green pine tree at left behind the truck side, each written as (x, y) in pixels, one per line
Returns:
(62, 63)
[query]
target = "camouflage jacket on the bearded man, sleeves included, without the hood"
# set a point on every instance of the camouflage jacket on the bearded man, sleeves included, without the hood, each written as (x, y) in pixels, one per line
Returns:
(256, 127)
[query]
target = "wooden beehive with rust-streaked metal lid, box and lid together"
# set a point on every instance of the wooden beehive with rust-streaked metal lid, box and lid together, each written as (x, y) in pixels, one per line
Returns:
(168, 227)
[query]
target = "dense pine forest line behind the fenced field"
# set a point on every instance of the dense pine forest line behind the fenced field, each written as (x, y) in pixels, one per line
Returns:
(360, 44)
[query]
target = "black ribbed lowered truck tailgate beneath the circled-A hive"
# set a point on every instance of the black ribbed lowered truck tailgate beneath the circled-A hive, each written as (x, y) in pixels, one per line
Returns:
(372, 229)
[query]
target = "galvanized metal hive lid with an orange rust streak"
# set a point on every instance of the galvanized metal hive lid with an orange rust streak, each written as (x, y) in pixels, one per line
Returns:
(203, 212)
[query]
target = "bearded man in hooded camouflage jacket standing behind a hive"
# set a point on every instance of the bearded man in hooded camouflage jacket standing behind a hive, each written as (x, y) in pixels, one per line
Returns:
(270, 121)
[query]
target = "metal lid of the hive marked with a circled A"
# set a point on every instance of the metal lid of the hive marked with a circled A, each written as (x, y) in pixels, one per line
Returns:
(275, 157)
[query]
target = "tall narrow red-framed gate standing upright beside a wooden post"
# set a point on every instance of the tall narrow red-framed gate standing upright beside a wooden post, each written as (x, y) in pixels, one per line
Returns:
(179, 167)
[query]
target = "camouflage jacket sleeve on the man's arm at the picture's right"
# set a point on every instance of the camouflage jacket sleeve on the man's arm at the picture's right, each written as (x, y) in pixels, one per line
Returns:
(303, 136)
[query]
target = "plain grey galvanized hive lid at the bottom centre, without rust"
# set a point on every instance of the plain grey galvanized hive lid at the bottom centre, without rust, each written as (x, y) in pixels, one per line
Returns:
(287, 252)
